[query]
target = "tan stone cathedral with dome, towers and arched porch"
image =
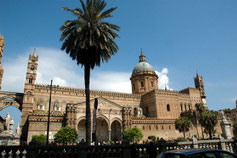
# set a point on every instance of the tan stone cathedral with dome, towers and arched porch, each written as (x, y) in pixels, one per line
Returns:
(148, 108)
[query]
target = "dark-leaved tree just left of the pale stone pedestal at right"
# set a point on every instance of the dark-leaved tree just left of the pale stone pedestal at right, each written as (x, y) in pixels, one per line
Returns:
(208, 120)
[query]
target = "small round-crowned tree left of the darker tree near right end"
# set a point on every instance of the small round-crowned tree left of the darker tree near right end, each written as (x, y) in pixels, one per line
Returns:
(182, 124)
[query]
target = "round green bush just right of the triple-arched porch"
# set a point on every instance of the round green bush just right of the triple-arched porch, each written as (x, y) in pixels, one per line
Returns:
(132, 134)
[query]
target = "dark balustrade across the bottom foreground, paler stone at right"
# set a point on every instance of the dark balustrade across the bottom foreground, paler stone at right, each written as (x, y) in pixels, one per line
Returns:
(116, 151)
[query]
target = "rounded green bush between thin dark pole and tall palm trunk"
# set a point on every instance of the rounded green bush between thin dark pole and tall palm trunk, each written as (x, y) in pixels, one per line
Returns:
(66, 135)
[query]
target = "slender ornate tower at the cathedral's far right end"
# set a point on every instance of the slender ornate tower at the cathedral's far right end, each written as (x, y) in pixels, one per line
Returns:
(199, 84)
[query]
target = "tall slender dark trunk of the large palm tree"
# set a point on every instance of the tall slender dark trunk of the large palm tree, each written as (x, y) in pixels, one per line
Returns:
(88, 111)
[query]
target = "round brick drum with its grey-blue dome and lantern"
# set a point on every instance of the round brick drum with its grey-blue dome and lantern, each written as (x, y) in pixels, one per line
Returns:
(144, 78)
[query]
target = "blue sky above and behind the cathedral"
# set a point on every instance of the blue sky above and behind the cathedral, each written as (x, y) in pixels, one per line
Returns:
(179, 38)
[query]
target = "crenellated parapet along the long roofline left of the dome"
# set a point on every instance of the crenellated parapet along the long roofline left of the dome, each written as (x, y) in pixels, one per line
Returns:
(77, 91)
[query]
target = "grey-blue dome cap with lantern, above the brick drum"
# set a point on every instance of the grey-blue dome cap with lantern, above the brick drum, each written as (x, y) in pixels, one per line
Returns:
(143, 65)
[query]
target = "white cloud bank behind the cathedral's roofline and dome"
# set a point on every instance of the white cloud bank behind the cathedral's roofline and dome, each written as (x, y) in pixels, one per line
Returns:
(57, 65)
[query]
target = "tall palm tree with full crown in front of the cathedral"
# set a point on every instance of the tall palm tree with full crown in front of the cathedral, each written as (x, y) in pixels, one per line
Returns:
(89, 40)
